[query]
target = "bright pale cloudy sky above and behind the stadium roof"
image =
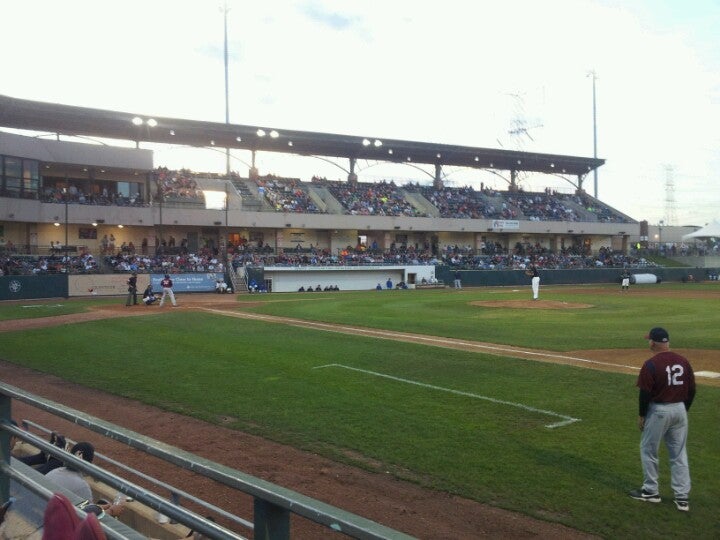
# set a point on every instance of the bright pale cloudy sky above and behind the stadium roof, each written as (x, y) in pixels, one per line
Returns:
(512, 74)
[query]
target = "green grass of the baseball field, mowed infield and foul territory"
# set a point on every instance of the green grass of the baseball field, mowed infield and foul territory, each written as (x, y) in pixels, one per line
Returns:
(467, 423)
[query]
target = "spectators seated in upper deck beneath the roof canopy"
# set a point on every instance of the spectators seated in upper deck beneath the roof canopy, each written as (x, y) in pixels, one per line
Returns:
(383, 198)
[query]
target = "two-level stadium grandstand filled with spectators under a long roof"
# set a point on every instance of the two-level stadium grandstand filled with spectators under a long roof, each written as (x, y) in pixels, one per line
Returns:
(71, 205)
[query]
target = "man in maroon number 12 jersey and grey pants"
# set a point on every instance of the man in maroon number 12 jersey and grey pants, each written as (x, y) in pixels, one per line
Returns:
(667, 390)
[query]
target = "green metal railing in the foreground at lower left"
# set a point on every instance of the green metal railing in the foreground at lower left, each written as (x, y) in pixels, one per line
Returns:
(273, 504)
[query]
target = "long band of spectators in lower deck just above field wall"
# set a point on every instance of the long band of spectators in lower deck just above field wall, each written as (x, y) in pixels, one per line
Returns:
(488, 256)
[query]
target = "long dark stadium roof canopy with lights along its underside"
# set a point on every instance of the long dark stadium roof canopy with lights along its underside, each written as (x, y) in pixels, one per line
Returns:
(83, 121)
